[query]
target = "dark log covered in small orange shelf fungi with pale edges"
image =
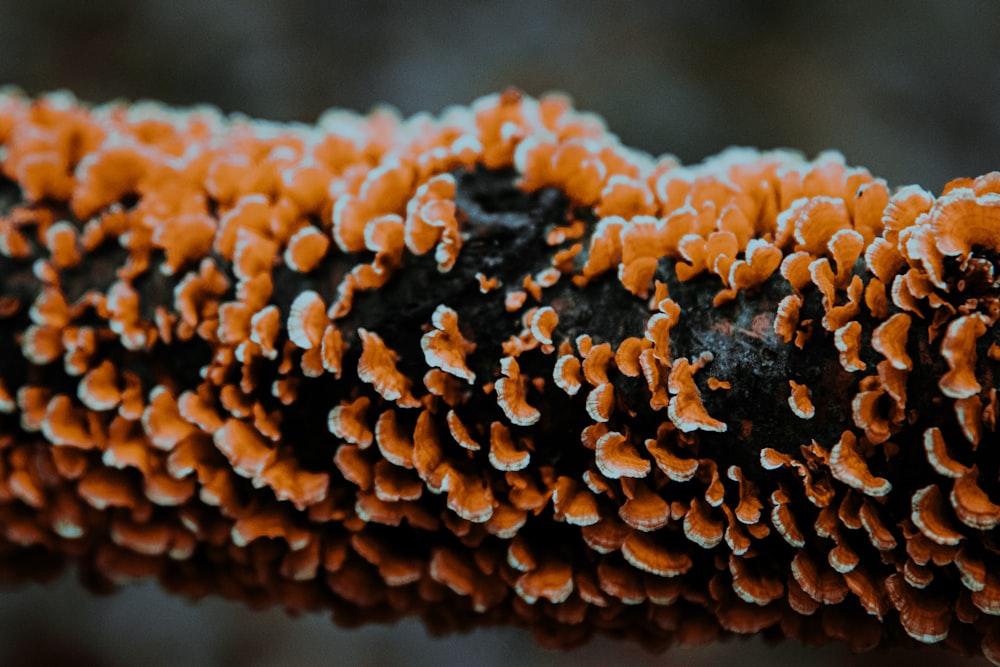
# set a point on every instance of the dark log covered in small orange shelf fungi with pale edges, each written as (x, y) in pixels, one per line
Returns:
(496, 368)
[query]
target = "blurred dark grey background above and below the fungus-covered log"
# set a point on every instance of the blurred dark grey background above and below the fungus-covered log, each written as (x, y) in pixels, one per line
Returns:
(909, 89)
